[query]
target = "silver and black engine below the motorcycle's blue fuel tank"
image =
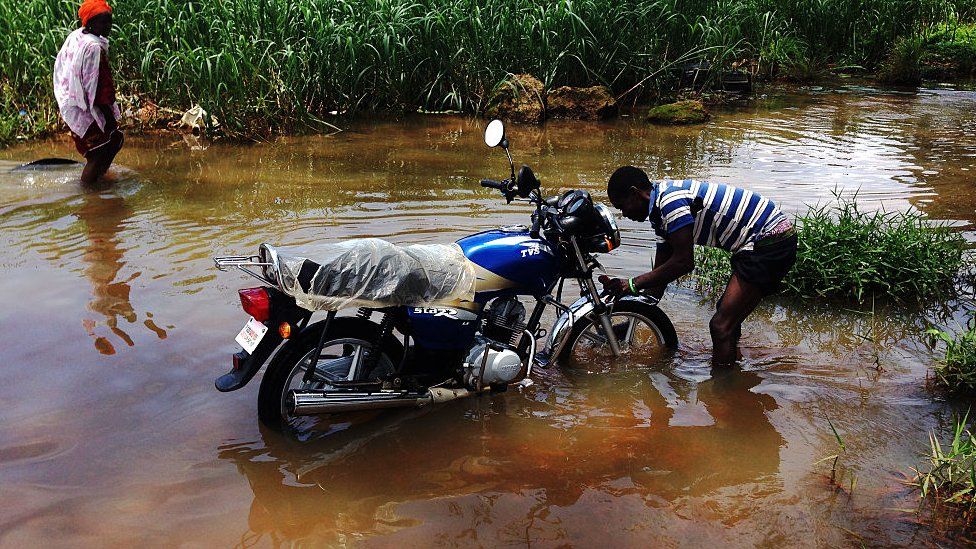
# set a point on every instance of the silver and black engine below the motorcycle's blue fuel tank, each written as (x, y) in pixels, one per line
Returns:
(504, 322)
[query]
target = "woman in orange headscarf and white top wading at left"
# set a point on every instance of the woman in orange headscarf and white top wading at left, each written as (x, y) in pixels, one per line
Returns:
(85, 90)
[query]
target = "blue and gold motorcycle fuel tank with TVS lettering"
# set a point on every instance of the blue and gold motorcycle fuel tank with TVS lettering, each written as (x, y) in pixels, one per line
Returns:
(510, 260)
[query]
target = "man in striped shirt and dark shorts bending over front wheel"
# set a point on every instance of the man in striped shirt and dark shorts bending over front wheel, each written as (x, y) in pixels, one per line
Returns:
(684, 213)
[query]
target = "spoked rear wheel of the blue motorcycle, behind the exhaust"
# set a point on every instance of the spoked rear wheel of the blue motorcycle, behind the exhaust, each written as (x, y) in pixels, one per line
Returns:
(345, 356)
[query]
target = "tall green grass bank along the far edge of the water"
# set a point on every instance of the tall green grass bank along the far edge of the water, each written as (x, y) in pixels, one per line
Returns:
(273, 65)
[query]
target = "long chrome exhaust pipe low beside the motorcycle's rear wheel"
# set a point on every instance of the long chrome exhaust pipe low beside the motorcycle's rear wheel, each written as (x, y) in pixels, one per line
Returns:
(310, 403)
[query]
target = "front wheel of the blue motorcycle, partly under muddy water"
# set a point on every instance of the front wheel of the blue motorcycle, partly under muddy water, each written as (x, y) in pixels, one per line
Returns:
(643, 331)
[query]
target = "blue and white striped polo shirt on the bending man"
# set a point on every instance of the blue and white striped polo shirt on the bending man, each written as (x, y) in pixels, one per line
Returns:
(724, 216)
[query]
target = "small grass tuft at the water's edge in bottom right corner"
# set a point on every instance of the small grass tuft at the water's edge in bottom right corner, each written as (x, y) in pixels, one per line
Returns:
(948, 482)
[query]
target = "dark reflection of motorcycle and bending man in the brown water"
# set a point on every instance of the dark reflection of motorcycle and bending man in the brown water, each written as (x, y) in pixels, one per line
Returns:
(613, 434)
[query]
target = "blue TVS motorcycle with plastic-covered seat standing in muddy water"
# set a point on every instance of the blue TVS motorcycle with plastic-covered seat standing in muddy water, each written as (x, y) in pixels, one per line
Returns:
(450, 347)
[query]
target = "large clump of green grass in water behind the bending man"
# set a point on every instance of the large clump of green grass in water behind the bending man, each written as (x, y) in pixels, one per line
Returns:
(847, 254)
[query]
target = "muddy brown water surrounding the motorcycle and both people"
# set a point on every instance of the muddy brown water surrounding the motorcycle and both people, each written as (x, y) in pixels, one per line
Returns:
(115, 324)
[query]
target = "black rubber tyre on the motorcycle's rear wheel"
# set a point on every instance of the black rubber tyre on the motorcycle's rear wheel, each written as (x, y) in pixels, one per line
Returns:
(278, 373)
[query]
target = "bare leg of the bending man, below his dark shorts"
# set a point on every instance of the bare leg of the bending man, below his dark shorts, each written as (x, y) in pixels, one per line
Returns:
(737, 303)
